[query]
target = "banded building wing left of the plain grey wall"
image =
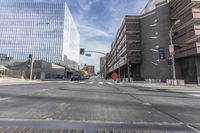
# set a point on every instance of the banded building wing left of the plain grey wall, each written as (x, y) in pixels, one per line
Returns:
(125, 51)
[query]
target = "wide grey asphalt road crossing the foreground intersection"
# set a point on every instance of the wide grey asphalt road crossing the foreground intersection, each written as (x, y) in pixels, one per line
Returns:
(97, 100)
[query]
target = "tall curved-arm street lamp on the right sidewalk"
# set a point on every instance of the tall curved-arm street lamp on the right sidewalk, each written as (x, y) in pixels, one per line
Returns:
(172, 45)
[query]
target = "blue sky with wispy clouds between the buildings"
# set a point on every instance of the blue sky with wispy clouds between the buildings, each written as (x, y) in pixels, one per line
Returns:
(98, 22)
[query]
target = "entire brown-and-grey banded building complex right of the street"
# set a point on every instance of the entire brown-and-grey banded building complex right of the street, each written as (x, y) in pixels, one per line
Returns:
(141, 48)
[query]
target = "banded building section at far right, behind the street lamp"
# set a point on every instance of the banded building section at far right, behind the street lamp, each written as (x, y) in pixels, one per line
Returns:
(187, 37)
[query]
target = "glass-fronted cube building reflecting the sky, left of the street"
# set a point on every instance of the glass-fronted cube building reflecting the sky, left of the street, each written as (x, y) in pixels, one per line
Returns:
(44, 29)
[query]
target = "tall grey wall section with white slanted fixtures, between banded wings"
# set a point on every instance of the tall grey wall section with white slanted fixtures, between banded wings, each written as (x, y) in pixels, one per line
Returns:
(154, 32)
